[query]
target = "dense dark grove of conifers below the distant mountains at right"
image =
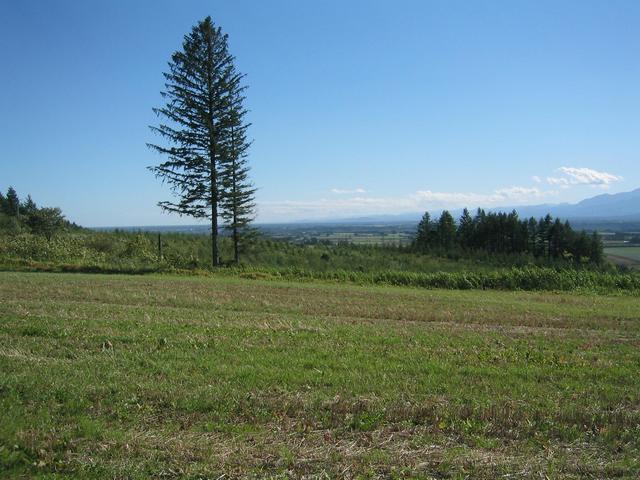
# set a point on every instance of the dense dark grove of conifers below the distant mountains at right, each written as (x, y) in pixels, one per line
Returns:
(506, 233)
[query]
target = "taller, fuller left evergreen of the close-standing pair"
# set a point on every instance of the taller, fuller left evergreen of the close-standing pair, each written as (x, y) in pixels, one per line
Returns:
(199, 91)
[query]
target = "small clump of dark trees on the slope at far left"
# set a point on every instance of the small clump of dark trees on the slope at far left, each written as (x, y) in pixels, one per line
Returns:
(24, 215)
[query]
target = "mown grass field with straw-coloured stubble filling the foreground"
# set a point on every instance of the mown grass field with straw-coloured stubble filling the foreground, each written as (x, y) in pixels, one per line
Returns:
(184, 377)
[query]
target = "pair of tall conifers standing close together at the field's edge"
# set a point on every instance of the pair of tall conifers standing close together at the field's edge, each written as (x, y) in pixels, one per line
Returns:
(206, 133)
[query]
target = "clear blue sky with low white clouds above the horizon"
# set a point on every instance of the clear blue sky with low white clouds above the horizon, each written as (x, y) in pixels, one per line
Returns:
(358, 107)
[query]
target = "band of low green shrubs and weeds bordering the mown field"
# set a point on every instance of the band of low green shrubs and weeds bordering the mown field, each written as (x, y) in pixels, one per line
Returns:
(120, 252)
